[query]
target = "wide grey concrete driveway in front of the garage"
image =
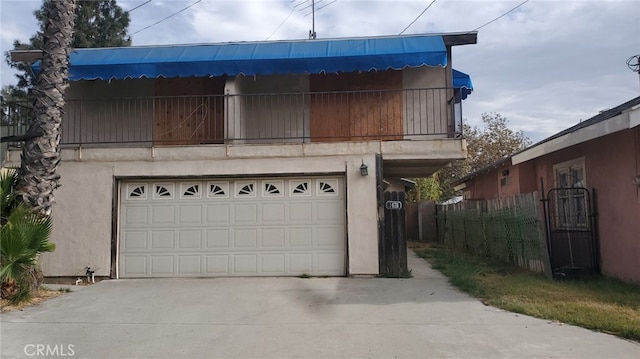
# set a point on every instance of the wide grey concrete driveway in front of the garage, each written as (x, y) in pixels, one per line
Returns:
(421, 317)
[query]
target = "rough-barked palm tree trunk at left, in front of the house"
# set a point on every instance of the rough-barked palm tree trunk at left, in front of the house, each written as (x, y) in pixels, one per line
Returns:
(41, 154)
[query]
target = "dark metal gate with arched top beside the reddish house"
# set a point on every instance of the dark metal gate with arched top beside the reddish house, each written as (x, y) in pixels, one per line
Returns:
(572, 232)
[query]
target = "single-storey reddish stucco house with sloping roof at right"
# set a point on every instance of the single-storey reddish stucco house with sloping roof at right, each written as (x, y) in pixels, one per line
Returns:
(589, 178)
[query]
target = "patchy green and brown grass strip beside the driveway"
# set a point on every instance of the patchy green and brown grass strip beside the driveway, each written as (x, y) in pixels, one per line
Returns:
(601, 304)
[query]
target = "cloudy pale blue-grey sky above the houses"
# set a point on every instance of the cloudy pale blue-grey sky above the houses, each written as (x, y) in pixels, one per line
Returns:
(545, 66)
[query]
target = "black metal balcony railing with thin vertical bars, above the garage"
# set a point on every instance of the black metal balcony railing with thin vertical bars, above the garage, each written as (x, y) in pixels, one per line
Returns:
(253, 118)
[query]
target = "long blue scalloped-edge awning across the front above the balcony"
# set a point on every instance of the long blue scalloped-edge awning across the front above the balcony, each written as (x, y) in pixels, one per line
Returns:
(259, 58)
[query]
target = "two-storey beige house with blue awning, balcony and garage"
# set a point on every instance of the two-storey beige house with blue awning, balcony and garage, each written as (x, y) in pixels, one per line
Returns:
(247, 158)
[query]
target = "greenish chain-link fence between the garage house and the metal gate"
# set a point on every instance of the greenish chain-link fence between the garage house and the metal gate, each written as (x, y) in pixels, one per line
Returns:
(507, 229)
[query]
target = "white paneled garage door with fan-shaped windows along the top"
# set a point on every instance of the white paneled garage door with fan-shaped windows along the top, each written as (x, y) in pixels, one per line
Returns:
(238, 227)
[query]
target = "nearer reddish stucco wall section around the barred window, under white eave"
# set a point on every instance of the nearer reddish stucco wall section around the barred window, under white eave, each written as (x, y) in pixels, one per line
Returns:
(610, 165)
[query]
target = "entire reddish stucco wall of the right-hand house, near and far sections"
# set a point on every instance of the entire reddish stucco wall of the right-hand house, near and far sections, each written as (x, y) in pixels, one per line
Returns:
(611, 162)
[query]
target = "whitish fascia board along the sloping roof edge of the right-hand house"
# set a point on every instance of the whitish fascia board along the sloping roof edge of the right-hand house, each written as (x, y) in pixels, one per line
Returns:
(600, 129)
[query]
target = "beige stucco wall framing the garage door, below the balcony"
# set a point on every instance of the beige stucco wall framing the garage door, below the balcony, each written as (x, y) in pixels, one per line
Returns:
(84, 205)
